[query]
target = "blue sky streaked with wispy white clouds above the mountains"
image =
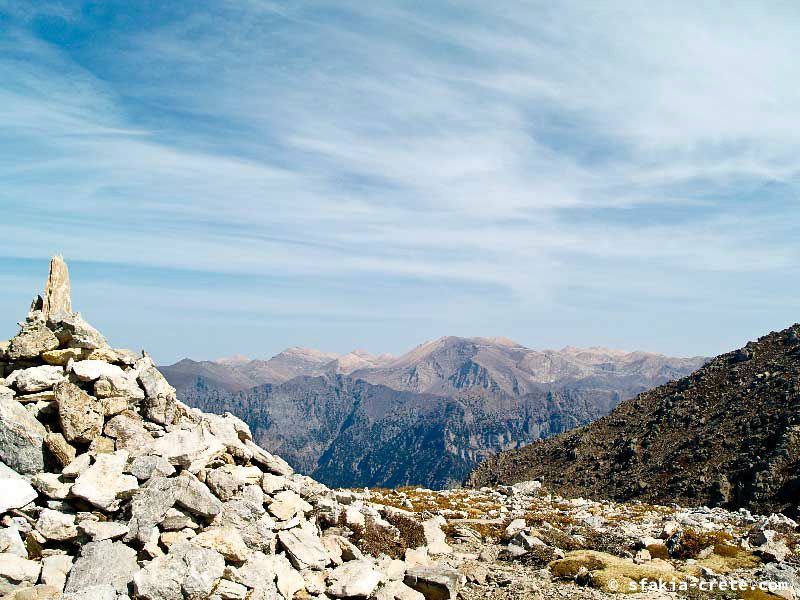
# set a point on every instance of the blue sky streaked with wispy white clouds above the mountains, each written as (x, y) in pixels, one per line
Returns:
(236, 177)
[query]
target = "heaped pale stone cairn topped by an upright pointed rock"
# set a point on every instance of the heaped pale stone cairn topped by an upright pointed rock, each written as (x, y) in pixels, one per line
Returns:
(110, 488)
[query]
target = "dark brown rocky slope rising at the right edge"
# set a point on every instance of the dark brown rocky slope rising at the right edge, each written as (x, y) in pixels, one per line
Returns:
(728, 434)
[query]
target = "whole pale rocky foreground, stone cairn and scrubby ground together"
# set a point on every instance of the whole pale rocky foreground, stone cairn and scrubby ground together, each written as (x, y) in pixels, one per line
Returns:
(112, 489)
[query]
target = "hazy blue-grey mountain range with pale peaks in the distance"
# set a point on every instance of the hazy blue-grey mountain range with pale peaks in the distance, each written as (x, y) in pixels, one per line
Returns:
(444, 406)
